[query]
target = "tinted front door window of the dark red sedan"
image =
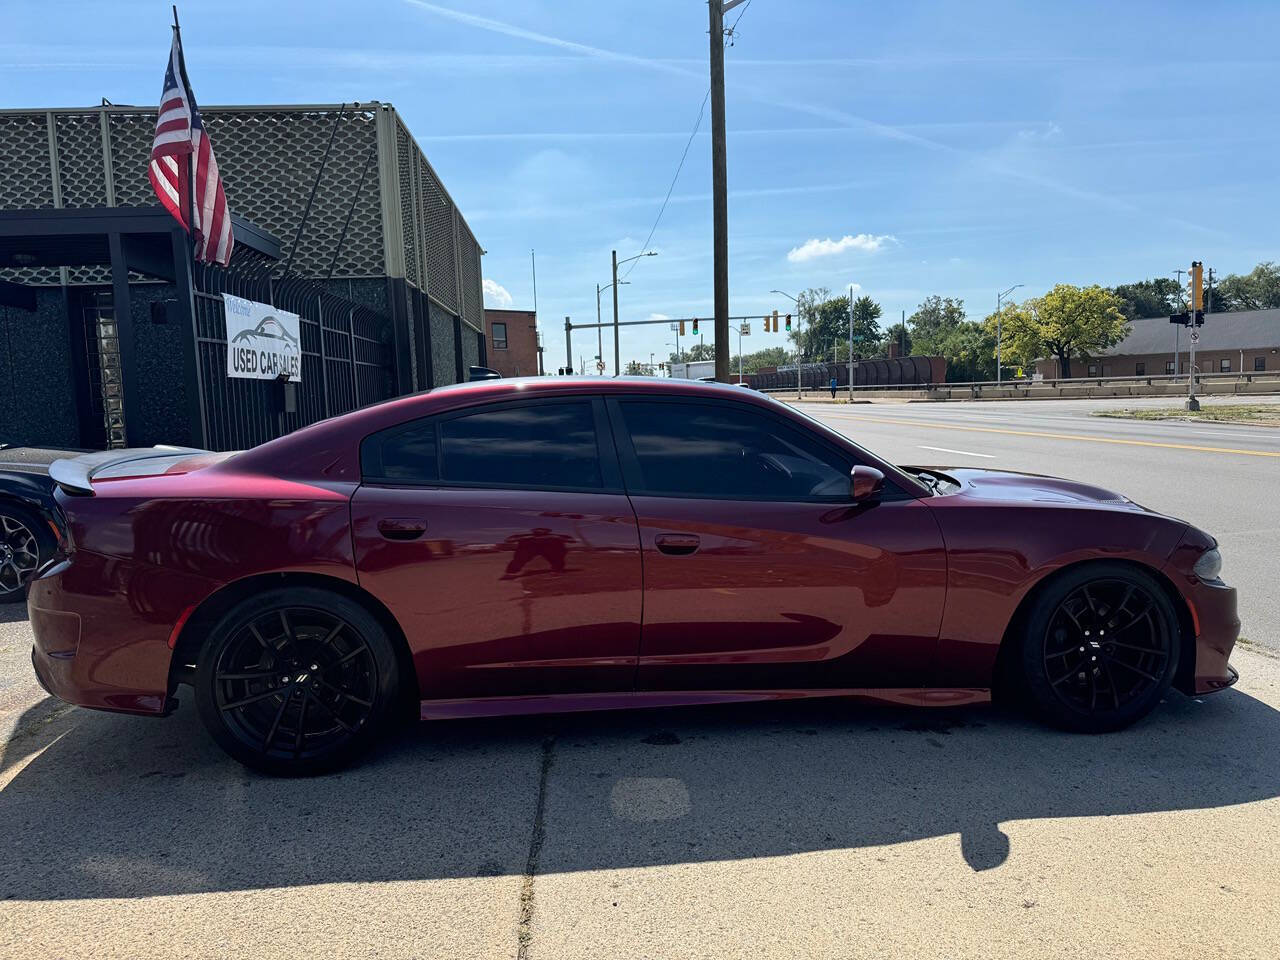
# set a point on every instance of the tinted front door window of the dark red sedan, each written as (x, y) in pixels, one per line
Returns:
(702, 450)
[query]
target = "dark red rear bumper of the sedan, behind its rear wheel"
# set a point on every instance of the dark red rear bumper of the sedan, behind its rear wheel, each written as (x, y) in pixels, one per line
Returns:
(102, 634)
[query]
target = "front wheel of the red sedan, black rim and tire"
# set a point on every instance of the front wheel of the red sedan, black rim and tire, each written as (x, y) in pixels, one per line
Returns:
(1082, 678)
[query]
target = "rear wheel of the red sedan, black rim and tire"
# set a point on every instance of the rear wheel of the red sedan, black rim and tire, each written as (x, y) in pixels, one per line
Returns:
(298, 682)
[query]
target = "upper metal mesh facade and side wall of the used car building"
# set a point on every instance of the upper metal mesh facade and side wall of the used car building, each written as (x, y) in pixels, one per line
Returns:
(405, 246)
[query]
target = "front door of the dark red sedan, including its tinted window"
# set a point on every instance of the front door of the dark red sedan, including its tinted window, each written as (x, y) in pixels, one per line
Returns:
(760, 572)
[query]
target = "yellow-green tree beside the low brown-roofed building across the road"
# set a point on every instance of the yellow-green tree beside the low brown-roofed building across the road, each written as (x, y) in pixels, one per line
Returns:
(1068, 322)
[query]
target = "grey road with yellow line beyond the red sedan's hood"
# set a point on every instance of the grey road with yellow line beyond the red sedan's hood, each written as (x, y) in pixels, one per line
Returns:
(1224, 478)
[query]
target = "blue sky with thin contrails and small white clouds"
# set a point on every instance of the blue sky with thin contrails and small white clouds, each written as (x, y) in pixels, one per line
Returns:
(908, 148)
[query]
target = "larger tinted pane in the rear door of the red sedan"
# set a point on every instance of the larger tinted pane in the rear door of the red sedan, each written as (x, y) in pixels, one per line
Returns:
(537, 445)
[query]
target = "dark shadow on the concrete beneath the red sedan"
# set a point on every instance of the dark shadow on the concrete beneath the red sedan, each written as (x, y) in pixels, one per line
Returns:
(118, 807)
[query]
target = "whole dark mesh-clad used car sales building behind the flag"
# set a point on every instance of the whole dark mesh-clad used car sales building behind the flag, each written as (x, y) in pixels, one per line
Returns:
(340, 218)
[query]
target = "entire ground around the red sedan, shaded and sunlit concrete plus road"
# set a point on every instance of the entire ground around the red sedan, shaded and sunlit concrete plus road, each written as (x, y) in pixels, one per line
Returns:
(822, 830)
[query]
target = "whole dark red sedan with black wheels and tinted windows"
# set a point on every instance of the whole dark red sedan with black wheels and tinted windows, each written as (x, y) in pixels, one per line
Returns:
(560, 545)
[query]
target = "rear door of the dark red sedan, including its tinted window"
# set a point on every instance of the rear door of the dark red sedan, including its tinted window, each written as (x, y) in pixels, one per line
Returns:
(501, 540)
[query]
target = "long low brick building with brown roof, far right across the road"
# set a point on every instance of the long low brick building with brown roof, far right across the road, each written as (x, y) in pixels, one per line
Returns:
(1246, 341)
